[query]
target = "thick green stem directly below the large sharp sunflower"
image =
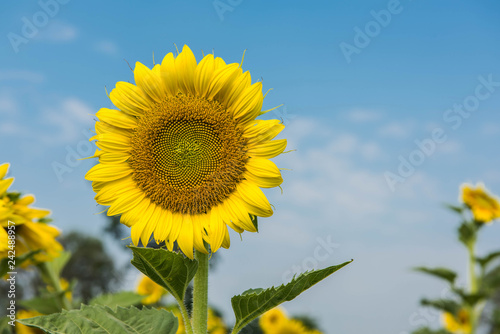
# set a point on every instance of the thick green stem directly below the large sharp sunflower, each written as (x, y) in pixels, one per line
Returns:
(200, 295)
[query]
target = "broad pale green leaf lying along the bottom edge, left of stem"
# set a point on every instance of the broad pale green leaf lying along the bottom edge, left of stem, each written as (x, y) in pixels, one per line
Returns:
(98, 319)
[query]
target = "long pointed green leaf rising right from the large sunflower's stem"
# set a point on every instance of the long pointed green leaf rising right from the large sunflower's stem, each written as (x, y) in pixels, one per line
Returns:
(254, 302)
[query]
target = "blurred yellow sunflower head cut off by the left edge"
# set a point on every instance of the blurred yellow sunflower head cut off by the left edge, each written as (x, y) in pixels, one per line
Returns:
(31, 231)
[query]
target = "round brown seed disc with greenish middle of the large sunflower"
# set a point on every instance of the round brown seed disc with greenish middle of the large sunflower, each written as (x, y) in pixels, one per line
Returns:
(188, 154)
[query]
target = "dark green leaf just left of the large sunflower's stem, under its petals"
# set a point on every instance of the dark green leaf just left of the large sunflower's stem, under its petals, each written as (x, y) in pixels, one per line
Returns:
(171, 270)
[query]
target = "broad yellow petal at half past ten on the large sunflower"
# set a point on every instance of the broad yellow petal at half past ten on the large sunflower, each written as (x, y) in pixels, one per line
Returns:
(129, 99)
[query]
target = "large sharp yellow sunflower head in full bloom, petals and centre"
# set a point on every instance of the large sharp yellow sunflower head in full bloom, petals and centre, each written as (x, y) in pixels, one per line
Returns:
(183, 156)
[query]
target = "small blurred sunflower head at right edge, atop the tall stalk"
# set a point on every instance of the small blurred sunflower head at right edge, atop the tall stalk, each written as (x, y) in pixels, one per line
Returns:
(484, 206)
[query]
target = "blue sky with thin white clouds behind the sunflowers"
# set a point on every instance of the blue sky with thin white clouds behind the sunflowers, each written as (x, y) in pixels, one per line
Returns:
(351, 120)
